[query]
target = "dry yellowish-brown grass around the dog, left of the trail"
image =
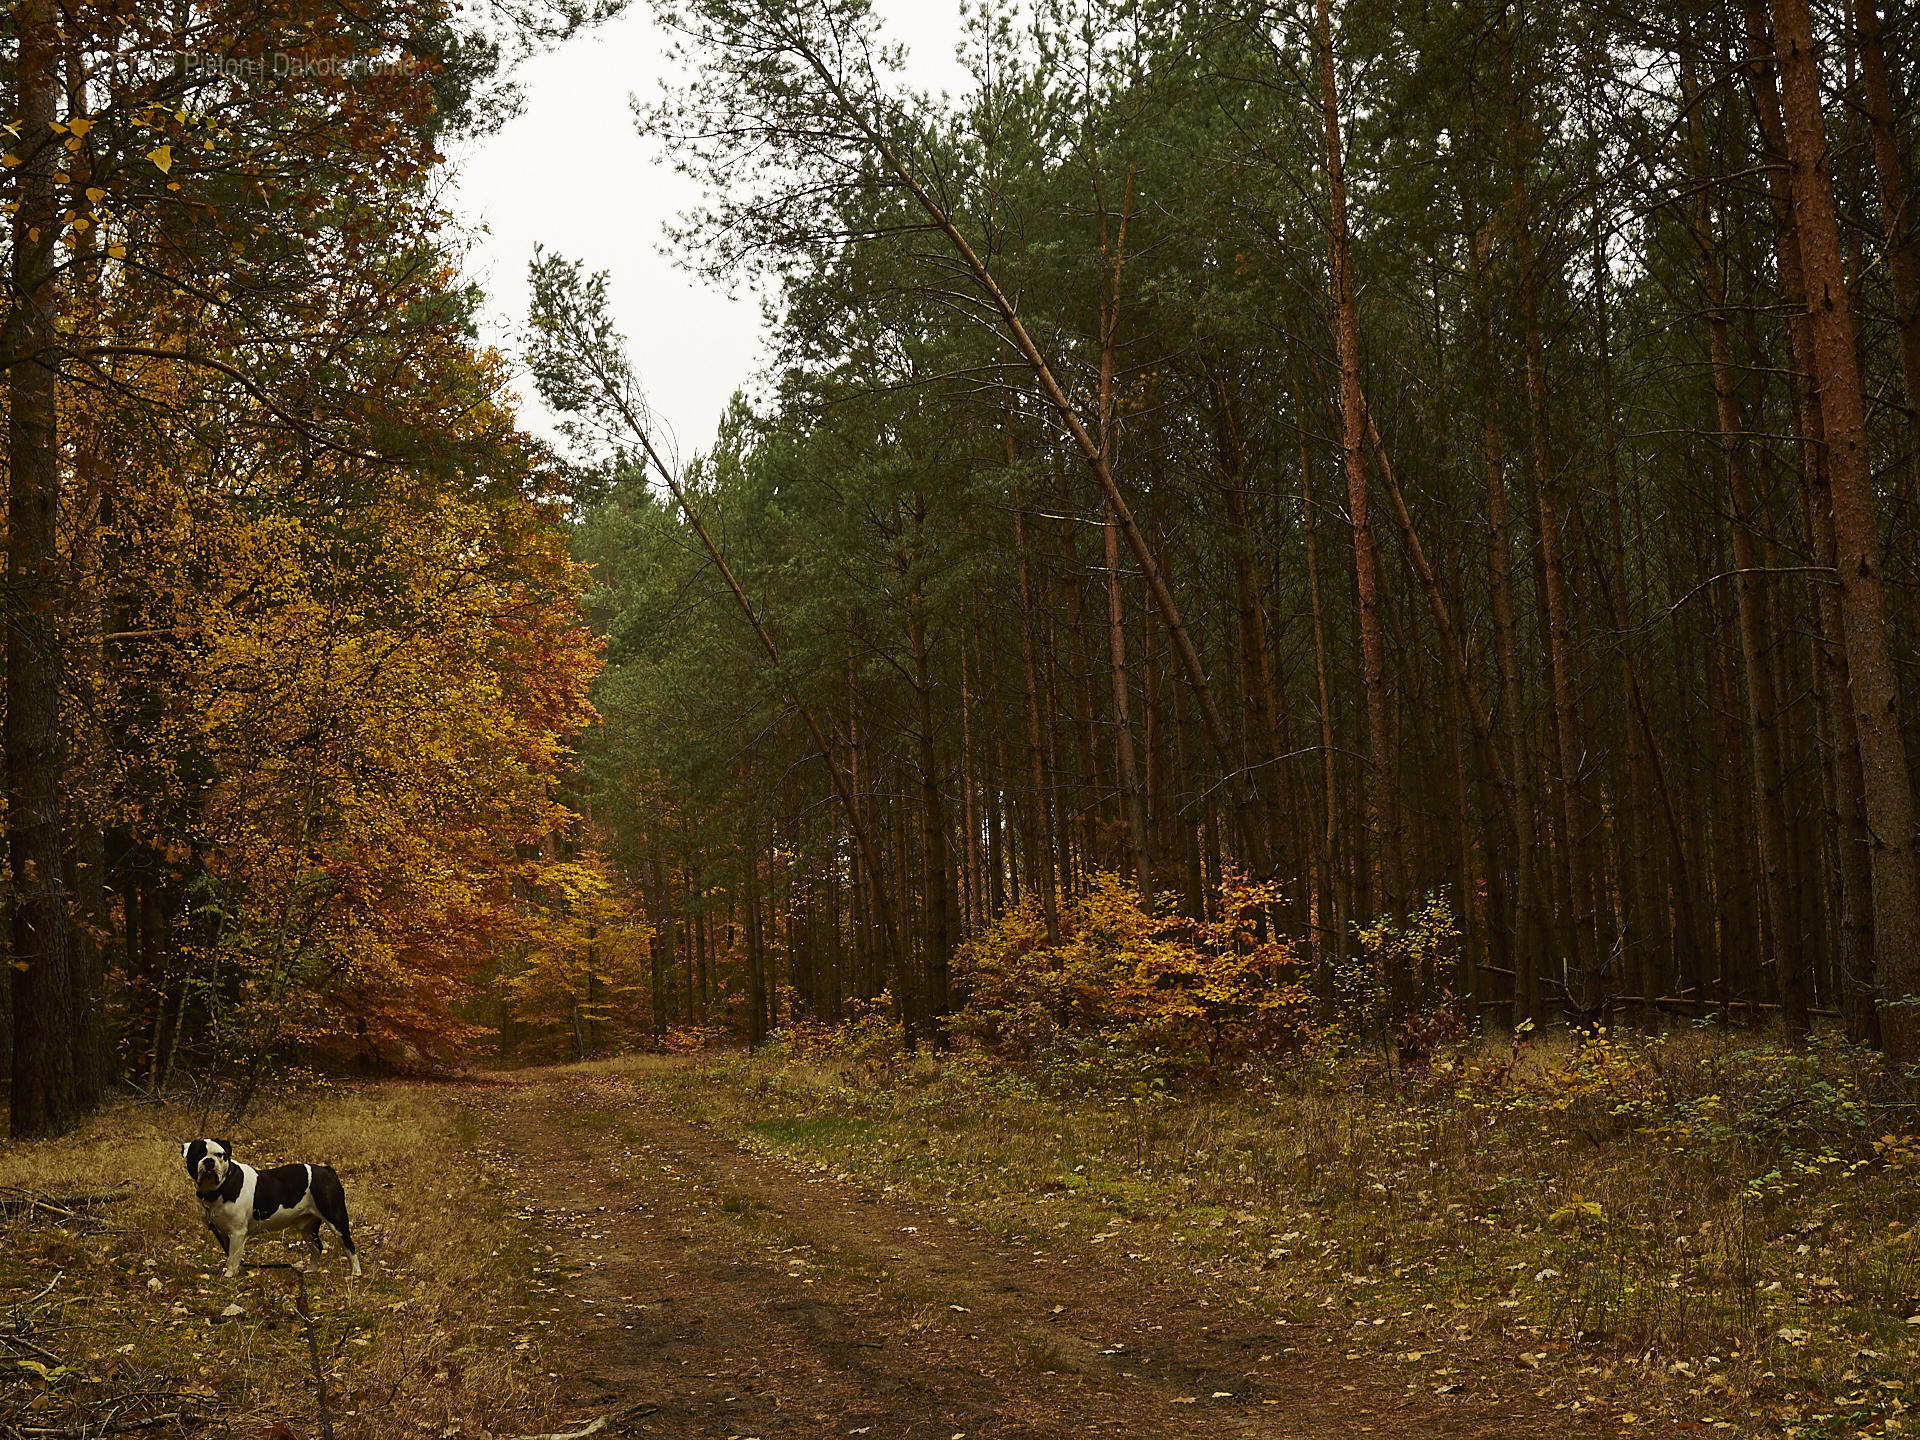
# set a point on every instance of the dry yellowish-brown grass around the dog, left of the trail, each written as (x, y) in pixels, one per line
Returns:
(435, 1341)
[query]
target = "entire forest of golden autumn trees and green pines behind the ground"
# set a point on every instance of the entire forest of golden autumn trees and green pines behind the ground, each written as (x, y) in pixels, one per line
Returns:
(1266, 531)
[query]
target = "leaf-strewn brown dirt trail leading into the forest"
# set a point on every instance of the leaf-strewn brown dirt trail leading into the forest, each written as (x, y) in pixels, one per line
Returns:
(746, 1299)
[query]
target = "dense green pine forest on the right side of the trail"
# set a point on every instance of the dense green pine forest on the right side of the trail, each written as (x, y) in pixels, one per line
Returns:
(1435, 485)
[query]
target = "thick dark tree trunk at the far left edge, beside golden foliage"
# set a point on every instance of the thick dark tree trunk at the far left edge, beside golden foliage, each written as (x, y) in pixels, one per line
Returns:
(47, 1022)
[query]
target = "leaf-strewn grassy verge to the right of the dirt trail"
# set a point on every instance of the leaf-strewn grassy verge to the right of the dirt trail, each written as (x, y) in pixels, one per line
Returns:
(1712, 1224)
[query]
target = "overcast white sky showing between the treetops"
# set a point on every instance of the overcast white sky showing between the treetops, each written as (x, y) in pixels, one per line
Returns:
(575, 178)
